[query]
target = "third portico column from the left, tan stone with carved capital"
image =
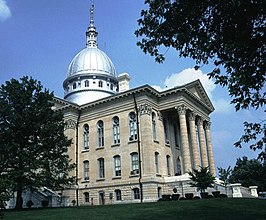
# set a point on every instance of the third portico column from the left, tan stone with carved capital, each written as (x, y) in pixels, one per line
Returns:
(203, 150)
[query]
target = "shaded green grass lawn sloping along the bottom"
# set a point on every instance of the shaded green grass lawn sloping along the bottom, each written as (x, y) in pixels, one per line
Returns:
(213, 209)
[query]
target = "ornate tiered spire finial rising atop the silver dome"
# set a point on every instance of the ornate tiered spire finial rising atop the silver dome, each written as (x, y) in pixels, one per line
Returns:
(91, 33)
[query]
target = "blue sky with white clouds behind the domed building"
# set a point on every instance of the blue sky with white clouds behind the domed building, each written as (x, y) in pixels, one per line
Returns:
(39, 38)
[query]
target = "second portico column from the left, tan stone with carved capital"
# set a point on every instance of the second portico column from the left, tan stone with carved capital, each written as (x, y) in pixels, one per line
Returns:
(194, 143)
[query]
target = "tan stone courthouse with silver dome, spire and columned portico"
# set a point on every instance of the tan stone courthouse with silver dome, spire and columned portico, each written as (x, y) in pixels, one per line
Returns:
(130, 144)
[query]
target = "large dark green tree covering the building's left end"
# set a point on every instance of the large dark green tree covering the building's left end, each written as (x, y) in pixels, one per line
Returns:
(33, 146)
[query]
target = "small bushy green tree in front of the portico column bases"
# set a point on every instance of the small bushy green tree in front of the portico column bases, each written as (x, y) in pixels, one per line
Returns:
(202, 178)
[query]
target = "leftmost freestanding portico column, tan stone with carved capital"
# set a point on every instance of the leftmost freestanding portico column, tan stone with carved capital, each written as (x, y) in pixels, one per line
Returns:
(184, 138)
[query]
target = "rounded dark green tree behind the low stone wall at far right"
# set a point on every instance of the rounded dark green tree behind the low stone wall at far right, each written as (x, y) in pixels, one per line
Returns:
(249, 173)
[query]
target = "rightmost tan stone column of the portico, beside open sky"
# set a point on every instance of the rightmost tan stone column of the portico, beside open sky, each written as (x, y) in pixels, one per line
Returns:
(207, 127)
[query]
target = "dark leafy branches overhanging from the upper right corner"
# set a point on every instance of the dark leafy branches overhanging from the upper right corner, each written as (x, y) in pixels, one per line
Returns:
(229, 34)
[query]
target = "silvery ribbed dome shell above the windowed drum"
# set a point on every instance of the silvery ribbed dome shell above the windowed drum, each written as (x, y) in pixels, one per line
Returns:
(91, 60)
